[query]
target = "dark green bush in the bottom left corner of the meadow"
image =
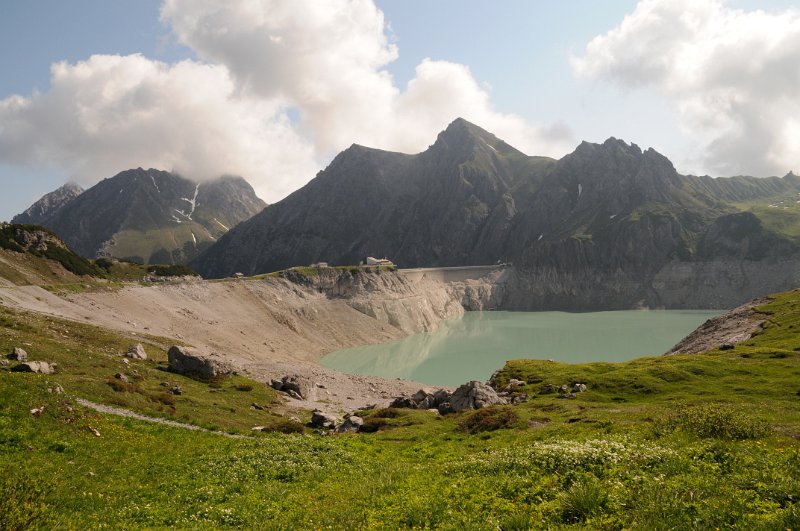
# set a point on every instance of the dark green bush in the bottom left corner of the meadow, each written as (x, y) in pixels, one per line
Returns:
(22, 500)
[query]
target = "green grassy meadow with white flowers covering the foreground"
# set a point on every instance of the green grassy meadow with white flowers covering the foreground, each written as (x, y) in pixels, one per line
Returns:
(704, 441)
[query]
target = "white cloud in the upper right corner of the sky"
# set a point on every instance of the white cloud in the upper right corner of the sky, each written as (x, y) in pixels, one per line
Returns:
(731, 74)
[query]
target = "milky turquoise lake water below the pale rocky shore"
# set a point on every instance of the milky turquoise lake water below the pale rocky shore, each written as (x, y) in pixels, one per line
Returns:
(472, 347)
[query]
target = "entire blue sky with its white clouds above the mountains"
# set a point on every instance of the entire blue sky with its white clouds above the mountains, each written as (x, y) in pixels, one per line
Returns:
(272, 89)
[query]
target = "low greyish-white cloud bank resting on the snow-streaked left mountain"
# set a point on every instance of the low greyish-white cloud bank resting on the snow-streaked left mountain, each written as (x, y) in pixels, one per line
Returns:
(111, 113)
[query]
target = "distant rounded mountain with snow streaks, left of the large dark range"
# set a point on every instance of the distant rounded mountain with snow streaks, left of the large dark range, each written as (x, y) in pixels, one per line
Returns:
(152, 216)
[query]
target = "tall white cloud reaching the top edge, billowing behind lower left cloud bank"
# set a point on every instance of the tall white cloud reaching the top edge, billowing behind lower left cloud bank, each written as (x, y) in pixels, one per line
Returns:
(329, 61)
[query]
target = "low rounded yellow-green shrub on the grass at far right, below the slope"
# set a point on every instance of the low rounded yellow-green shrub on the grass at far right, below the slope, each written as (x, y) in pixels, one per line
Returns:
(719, 422)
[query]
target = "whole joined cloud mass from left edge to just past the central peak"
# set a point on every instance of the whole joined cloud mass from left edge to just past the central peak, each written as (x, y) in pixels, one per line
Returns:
(278, 88)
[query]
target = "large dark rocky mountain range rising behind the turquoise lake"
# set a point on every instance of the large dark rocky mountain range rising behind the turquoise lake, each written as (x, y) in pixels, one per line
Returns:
(607, 226)
